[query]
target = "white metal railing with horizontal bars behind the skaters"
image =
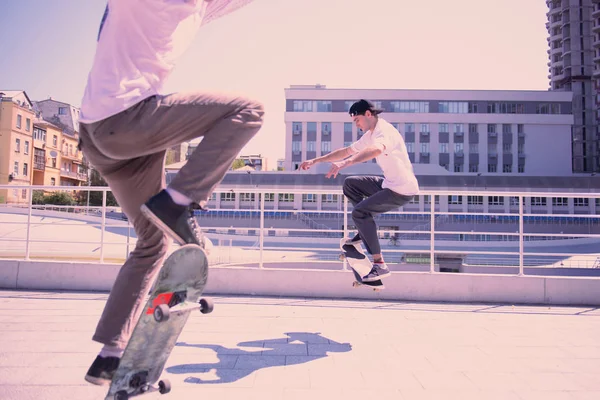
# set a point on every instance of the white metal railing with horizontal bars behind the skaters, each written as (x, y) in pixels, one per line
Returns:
(319, 238)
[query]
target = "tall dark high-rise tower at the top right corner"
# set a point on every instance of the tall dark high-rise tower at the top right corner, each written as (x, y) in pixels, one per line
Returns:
(573, 52)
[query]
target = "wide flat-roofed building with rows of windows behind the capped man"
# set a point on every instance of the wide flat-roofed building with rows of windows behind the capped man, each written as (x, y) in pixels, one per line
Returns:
(464, 132)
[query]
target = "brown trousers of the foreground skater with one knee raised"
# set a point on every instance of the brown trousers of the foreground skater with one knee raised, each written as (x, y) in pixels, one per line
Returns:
(128, 149)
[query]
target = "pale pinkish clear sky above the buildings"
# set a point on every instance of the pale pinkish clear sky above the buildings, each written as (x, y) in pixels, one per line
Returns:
(265, 47)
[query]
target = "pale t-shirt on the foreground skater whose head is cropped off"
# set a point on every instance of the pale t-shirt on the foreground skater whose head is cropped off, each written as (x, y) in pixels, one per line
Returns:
(140, 41)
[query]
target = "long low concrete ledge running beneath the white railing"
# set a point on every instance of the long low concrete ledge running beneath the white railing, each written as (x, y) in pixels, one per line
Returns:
(238, 280)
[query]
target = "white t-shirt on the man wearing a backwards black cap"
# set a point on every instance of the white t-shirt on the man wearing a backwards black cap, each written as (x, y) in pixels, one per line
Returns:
(397, 169)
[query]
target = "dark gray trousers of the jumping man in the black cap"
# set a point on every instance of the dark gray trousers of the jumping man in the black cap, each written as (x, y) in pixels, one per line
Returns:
(369, 198)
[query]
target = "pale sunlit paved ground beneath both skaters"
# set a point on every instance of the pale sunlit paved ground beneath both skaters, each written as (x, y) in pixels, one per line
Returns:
(273, 348)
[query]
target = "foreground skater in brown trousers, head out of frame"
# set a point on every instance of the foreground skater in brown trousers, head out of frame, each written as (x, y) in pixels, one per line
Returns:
(127, 125)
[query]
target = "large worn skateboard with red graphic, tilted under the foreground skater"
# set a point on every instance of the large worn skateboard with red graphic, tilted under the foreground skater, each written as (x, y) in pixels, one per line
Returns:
(175, 294)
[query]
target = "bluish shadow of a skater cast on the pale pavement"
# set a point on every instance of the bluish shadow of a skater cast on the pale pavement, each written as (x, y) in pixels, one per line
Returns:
(235, 364)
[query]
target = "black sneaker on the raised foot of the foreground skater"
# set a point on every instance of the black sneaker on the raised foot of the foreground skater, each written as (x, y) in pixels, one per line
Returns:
(175, 220)
